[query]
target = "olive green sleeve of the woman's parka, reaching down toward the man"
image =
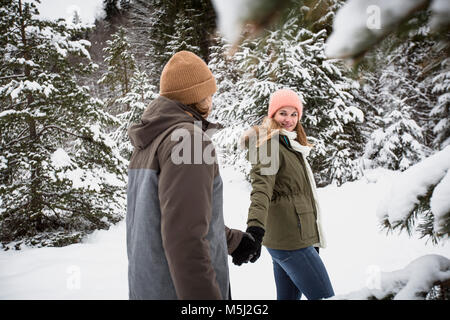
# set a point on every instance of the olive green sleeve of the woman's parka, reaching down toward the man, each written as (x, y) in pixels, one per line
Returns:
(262, 176)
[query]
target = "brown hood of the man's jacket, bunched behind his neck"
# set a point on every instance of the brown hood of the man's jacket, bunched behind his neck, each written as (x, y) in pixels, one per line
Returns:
(161, 114)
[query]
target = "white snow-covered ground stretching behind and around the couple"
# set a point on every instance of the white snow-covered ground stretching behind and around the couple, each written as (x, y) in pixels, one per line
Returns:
(97, 268)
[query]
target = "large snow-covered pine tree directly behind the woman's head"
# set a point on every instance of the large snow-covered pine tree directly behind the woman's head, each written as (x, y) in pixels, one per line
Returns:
(292, 56)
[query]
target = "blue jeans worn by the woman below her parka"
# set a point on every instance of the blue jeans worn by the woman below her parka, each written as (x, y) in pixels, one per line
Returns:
(300, 272)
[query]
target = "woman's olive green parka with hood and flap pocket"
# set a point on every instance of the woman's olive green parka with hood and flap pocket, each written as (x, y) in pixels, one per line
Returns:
(282, 201)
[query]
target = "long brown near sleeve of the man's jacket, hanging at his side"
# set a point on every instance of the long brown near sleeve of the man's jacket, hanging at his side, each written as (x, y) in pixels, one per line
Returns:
(185, 192)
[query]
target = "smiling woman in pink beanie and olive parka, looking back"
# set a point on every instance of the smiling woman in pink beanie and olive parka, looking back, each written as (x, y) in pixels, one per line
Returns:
(284, 214)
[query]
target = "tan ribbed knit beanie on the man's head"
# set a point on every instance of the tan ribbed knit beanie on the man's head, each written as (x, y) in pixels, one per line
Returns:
(187, 79)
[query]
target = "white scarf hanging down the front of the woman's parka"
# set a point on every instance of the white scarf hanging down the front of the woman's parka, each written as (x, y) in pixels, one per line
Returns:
(305, 150)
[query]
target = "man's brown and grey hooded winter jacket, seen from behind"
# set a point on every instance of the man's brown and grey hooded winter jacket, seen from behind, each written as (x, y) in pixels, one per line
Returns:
(177, 242)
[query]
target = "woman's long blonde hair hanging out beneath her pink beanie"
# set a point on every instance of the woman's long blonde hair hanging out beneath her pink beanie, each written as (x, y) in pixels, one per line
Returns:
(268, 128)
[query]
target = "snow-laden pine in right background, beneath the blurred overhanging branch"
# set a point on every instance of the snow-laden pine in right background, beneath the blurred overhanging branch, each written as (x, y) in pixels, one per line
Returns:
(400, 100)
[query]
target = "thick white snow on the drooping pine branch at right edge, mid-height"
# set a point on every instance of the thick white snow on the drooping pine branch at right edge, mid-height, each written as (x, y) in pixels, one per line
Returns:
(402, 196)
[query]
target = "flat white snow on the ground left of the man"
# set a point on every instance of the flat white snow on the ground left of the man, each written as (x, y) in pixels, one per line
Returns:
(94, 269)
